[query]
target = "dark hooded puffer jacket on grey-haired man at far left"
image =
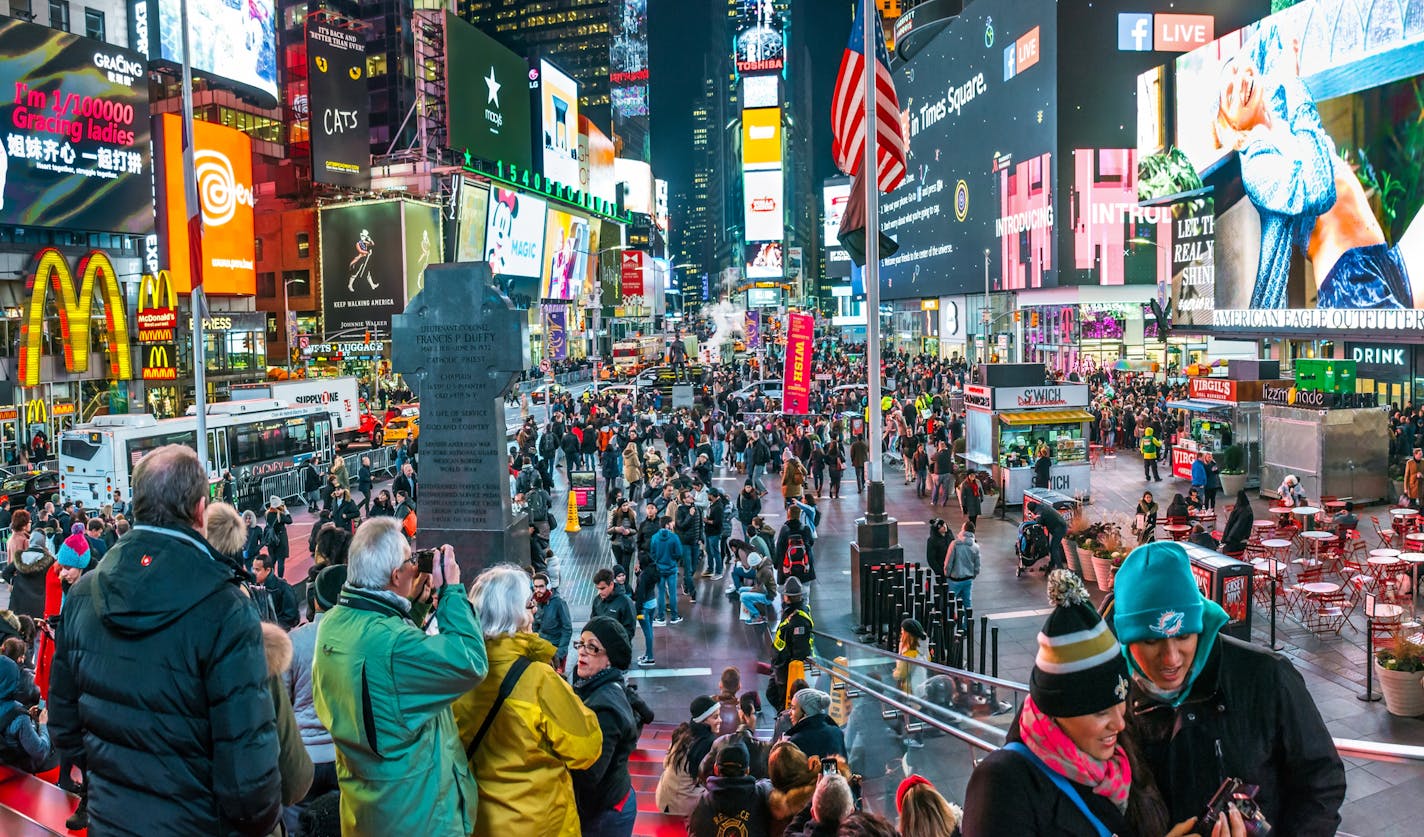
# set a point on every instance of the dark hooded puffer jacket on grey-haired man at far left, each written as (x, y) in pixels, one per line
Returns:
(160, 678)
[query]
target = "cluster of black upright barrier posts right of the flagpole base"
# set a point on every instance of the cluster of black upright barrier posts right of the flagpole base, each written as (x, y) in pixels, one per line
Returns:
(894, 593)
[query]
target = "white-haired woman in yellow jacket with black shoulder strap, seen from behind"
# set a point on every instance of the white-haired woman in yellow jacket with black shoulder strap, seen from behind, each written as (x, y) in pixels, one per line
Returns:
(540, 734)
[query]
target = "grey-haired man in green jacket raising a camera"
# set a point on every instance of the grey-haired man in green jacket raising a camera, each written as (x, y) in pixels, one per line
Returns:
(385, 691)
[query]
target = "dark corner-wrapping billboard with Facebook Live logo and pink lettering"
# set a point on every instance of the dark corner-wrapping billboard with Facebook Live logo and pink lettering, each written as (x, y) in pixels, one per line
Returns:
(1022, 163)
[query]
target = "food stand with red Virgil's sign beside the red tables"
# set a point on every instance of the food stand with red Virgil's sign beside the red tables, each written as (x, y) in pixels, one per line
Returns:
(1218, 414)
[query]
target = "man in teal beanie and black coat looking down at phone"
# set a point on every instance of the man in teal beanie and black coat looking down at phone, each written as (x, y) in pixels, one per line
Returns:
(1208, 708)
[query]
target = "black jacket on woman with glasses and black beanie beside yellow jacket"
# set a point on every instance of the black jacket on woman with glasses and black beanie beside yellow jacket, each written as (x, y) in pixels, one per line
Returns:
(606, 785)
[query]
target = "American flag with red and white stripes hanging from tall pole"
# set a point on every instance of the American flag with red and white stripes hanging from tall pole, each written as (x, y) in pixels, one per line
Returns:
(848, 110)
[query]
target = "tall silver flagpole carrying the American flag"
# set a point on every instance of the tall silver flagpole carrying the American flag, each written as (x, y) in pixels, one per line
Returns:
(872, 273)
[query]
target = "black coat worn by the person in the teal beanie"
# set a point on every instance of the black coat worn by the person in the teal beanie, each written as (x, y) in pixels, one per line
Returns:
(1254, 708)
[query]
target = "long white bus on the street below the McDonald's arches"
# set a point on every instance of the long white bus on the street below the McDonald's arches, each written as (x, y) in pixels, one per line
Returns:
(253, 439)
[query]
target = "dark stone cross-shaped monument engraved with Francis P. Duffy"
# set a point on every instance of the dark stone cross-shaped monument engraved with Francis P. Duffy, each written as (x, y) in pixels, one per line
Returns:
(459, 347)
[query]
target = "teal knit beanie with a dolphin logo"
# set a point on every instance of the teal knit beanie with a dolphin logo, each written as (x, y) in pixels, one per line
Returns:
(1156, 594)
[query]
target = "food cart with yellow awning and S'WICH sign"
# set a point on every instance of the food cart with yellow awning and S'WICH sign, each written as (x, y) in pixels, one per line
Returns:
(1005, 426)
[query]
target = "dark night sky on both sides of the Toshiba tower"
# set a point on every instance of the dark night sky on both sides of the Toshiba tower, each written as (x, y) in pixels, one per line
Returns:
(677, 80)
